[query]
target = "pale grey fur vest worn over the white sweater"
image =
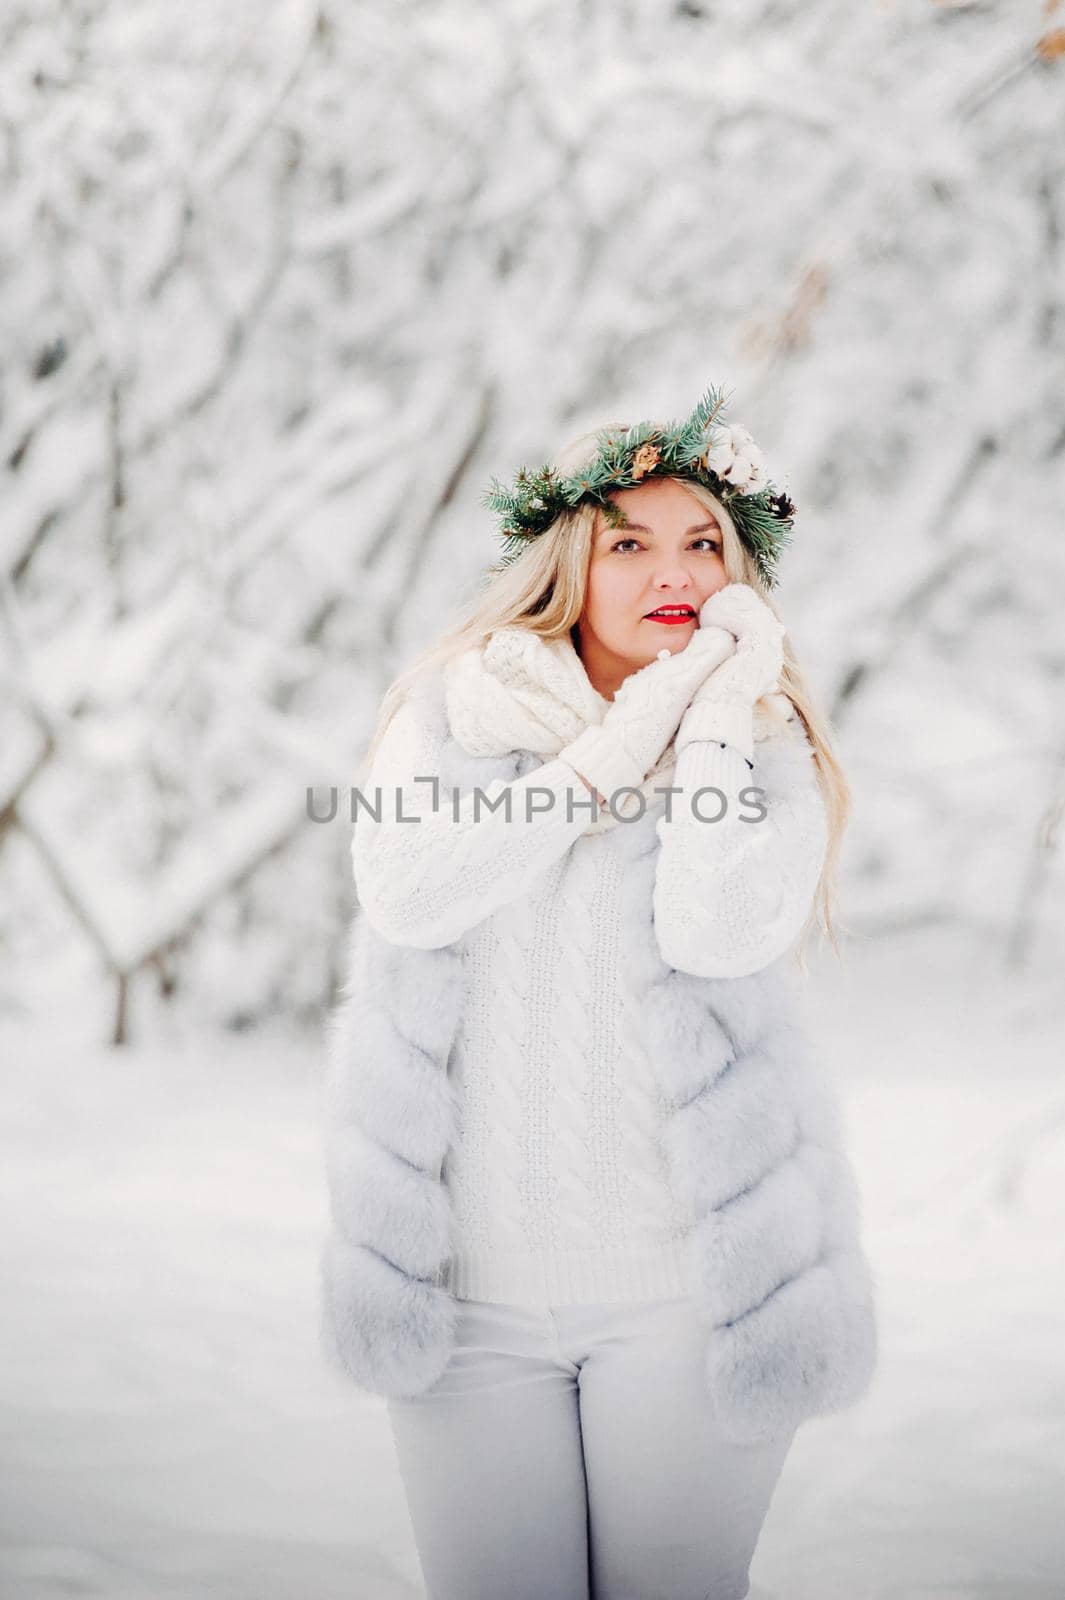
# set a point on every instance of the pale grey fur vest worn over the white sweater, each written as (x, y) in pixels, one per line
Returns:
(754, 1140)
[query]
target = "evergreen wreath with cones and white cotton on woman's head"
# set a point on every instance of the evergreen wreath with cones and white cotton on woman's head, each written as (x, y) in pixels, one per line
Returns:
(706, 449)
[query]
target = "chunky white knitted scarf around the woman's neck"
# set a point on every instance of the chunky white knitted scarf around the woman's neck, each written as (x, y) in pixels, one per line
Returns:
(524, 692)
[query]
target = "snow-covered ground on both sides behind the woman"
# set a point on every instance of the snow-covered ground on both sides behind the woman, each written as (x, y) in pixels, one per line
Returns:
(170, 1428)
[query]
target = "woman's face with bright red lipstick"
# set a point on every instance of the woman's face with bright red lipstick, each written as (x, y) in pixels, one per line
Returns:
(671, 556)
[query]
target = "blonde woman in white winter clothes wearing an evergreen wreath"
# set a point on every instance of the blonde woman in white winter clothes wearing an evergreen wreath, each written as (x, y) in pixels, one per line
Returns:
(596, 1233)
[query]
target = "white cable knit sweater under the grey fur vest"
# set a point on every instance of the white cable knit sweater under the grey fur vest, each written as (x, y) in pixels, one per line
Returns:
(559, 1185)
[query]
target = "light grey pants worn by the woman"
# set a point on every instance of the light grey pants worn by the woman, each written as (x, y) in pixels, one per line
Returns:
(570, 1454)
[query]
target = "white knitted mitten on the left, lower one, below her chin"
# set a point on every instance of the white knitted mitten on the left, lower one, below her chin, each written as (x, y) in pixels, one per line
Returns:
(645, 714)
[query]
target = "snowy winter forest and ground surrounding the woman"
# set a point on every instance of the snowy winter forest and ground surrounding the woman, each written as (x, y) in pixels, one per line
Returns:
(281, 287)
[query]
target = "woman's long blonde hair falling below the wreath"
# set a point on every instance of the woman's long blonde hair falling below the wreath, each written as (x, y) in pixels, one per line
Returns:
(544, 590)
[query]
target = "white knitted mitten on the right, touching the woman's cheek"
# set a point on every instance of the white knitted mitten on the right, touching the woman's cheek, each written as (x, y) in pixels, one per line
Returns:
(724, 705)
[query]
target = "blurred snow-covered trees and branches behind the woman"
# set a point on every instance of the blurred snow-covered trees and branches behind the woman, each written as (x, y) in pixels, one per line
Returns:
(282, 287)
